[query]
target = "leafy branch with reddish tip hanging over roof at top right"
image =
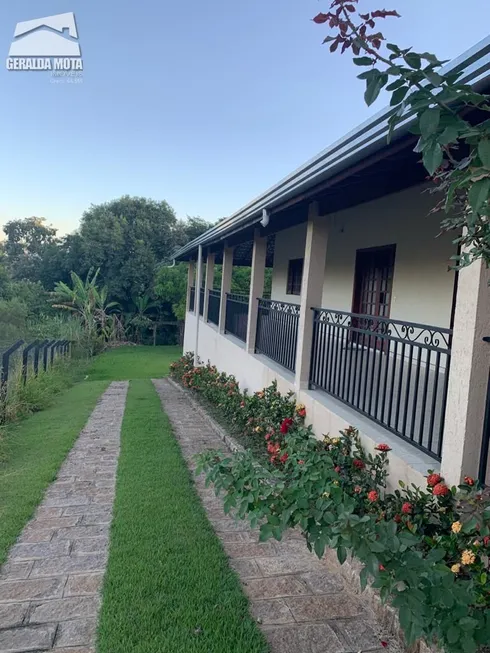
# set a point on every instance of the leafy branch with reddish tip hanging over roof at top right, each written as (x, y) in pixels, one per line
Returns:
(455, 150)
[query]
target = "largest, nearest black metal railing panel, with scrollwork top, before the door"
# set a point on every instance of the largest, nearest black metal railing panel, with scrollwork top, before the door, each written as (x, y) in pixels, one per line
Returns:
(396, 373)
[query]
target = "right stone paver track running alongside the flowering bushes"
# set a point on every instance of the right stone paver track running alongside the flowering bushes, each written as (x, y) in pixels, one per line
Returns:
(302, 603)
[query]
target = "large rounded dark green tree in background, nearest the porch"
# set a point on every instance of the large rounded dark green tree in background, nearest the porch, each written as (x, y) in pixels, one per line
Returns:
(126, 239)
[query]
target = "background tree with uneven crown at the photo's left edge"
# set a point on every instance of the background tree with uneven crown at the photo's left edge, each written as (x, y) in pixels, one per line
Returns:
(26, 245)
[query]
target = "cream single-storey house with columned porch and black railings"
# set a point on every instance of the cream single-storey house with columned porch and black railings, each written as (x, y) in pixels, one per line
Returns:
(365, 323)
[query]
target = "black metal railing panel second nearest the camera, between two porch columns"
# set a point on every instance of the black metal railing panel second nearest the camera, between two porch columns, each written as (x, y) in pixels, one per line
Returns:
(277, 331)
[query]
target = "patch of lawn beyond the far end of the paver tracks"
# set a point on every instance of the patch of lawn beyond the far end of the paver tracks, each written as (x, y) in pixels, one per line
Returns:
(134, 363)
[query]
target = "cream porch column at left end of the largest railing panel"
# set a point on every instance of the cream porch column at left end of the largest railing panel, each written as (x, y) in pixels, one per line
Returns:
(311, 290)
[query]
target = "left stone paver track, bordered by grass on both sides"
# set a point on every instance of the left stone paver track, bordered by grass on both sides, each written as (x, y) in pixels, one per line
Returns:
(50, 584)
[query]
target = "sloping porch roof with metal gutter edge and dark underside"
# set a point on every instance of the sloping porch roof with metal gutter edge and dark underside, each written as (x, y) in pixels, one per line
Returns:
(362, 149)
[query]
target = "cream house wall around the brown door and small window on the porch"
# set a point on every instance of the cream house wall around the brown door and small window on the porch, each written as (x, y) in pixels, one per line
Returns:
(422, 285)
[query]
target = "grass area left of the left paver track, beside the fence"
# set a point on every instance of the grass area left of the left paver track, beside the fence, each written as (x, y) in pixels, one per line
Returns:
(35, 449)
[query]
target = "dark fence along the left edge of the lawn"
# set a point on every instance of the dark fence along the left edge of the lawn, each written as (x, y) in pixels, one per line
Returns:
(32, 357)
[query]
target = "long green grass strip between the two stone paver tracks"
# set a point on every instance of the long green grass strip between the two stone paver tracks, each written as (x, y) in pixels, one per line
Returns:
(168, 587)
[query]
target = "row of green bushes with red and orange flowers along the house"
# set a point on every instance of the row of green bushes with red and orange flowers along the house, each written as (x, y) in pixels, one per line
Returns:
(425, 549)
